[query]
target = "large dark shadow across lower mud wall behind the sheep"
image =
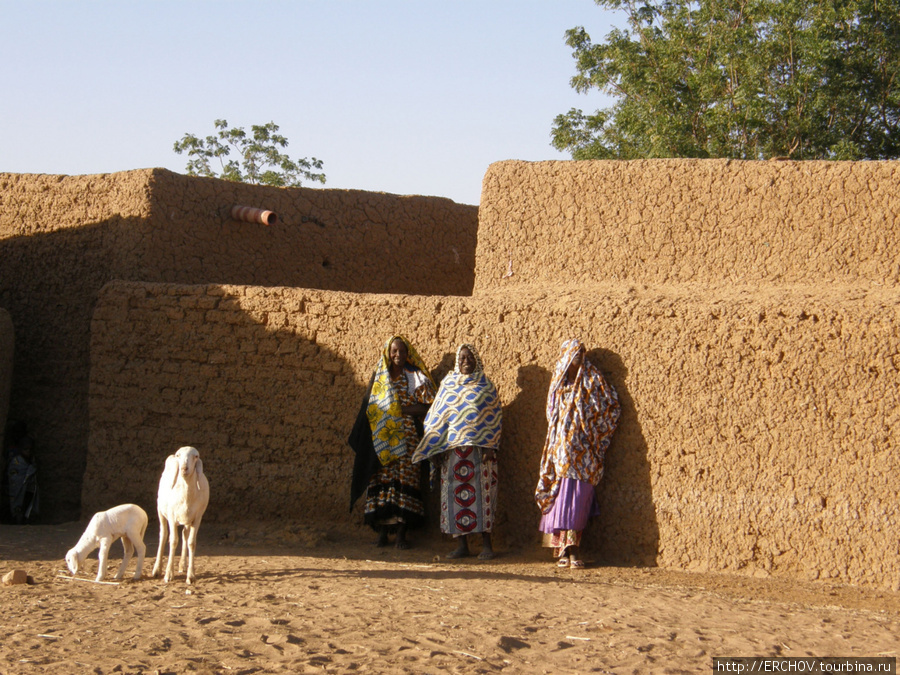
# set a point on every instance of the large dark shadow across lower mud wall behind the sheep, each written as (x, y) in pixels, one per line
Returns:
(267, 408)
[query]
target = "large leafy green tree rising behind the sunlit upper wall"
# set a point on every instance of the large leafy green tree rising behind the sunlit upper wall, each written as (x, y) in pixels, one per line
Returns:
(744, 79)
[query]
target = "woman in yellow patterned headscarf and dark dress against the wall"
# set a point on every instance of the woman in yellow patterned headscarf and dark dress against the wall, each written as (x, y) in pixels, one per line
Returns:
(384, 437)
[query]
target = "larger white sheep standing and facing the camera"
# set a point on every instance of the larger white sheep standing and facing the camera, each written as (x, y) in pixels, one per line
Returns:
(182, 500)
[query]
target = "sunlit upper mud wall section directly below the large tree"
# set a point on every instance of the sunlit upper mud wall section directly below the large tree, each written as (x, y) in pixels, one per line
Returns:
(689, 221)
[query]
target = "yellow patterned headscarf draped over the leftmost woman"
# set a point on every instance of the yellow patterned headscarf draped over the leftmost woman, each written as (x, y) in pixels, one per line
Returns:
(391, 435)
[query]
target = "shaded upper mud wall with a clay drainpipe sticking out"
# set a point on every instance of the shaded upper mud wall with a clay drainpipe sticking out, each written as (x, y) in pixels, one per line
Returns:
(347, 240)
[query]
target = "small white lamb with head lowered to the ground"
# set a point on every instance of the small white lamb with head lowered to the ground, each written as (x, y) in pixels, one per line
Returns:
(128, 522)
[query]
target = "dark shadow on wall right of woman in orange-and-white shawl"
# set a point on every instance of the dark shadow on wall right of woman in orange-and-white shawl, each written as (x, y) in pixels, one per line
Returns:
(627, 532)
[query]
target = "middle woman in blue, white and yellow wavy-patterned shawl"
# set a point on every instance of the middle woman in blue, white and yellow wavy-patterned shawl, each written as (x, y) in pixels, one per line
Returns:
(462, 434)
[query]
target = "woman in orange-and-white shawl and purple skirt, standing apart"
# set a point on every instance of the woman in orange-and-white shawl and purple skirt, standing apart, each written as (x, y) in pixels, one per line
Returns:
(582, 413)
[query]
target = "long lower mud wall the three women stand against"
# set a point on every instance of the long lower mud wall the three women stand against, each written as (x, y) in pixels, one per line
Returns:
(757, 432)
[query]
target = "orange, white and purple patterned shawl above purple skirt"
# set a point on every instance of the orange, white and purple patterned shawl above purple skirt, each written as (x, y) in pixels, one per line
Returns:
(580, 425)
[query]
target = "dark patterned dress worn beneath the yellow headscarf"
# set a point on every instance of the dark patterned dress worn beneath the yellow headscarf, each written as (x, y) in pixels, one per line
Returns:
(394, 492)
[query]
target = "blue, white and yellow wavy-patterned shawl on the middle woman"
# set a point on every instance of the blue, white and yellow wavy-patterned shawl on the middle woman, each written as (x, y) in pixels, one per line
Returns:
(466, 411)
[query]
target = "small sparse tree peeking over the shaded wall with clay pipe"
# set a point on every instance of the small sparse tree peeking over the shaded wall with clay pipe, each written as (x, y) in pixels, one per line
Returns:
(261, 161)
